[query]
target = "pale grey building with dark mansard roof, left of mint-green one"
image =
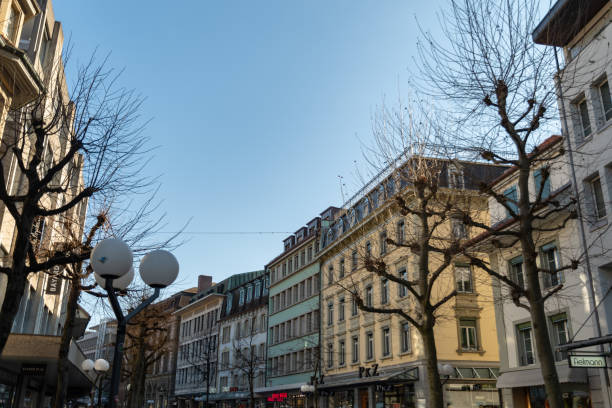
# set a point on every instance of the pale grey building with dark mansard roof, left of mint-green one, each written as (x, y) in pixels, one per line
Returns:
(243, 326)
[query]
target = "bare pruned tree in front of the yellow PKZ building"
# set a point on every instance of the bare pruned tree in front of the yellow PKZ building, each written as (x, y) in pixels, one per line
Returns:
(415, 181)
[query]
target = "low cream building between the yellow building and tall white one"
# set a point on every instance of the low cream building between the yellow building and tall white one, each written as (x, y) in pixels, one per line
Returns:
(521, 381)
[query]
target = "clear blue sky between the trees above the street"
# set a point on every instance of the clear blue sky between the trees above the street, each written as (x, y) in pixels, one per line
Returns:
(257, 106)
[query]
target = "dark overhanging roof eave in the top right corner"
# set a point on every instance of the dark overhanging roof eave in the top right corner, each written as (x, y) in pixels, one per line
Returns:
(565, 20)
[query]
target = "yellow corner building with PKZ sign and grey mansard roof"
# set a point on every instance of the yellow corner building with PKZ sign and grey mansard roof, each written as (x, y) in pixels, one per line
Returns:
(377, 360)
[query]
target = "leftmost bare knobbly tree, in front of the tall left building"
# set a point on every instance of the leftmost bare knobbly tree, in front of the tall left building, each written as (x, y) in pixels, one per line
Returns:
(71, 146)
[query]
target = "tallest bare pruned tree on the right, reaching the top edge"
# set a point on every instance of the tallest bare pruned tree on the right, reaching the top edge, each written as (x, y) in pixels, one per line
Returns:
(495, 95)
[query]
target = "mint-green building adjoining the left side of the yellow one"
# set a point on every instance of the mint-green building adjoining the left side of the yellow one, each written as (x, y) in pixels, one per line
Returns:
(293, 325)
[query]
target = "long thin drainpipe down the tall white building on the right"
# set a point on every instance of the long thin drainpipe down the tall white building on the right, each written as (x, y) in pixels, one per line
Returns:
(583, 239)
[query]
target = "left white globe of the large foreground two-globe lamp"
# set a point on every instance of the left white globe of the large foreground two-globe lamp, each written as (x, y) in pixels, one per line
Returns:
(111, 258)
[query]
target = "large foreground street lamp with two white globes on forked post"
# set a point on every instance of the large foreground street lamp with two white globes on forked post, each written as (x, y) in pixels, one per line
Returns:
(112, 261)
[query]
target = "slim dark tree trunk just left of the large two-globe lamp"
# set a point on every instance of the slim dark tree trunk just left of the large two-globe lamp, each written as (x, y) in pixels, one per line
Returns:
(61, 387)
